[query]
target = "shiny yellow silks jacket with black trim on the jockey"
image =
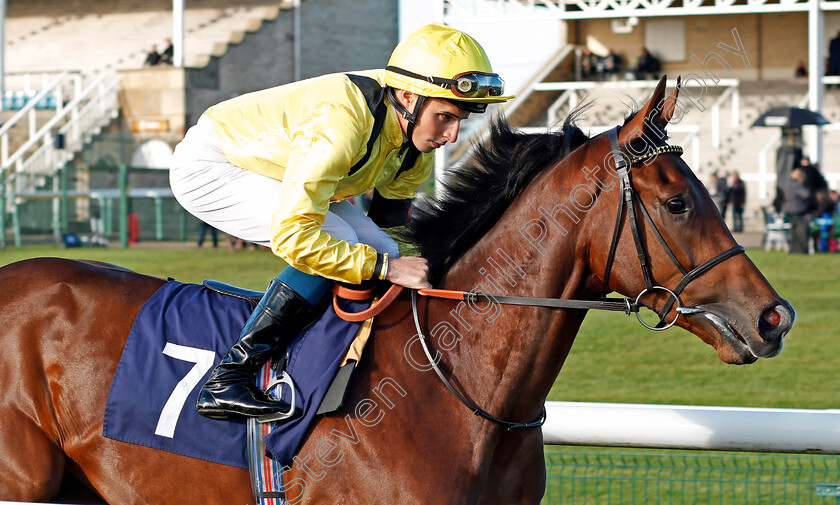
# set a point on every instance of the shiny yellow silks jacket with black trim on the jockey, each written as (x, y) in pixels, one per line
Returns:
(309, 134)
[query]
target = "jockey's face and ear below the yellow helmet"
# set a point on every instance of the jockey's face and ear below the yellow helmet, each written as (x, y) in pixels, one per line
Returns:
(438, 123)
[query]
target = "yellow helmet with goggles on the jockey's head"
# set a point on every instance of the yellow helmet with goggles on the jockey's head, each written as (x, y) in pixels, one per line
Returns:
(441, 62)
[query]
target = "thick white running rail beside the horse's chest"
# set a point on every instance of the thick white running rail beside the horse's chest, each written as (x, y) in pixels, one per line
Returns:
(800, 431)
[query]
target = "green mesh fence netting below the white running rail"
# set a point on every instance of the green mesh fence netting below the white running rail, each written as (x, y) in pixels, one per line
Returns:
(613, 477)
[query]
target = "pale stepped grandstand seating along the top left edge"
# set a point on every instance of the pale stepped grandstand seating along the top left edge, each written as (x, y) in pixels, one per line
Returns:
(97, 36)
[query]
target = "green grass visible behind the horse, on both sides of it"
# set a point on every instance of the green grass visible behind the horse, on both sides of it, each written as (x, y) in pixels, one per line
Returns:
(614, 359)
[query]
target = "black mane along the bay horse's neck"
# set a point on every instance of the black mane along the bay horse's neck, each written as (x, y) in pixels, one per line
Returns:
(475, 195)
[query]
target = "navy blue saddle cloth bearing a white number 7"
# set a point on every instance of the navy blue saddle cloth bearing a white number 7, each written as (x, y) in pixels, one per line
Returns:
(180, 334)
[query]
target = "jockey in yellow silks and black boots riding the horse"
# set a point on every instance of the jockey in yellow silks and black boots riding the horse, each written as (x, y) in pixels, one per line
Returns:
(277, 166)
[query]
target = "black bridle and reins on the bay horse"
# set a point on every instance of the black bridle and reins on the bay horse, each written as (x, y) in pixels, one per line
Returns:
(630, 200)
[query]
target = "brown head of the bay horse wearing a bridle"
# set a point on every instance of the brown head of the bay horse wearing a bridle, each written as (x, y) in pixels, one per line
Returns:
(671, 249)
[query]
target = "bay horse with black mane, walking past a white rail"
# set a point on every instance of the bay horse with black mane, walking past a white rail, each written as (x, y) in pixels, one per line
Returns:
(534, 215)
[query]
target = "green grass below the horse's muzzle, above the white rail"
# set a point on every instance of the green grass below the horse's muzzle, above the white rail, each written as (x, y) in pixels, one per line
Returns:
(614, 359)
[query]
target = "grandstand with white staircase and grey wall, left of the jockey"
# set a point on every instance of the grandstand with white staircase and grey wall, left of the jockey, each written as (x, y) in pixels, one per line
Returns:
(75, 53)
